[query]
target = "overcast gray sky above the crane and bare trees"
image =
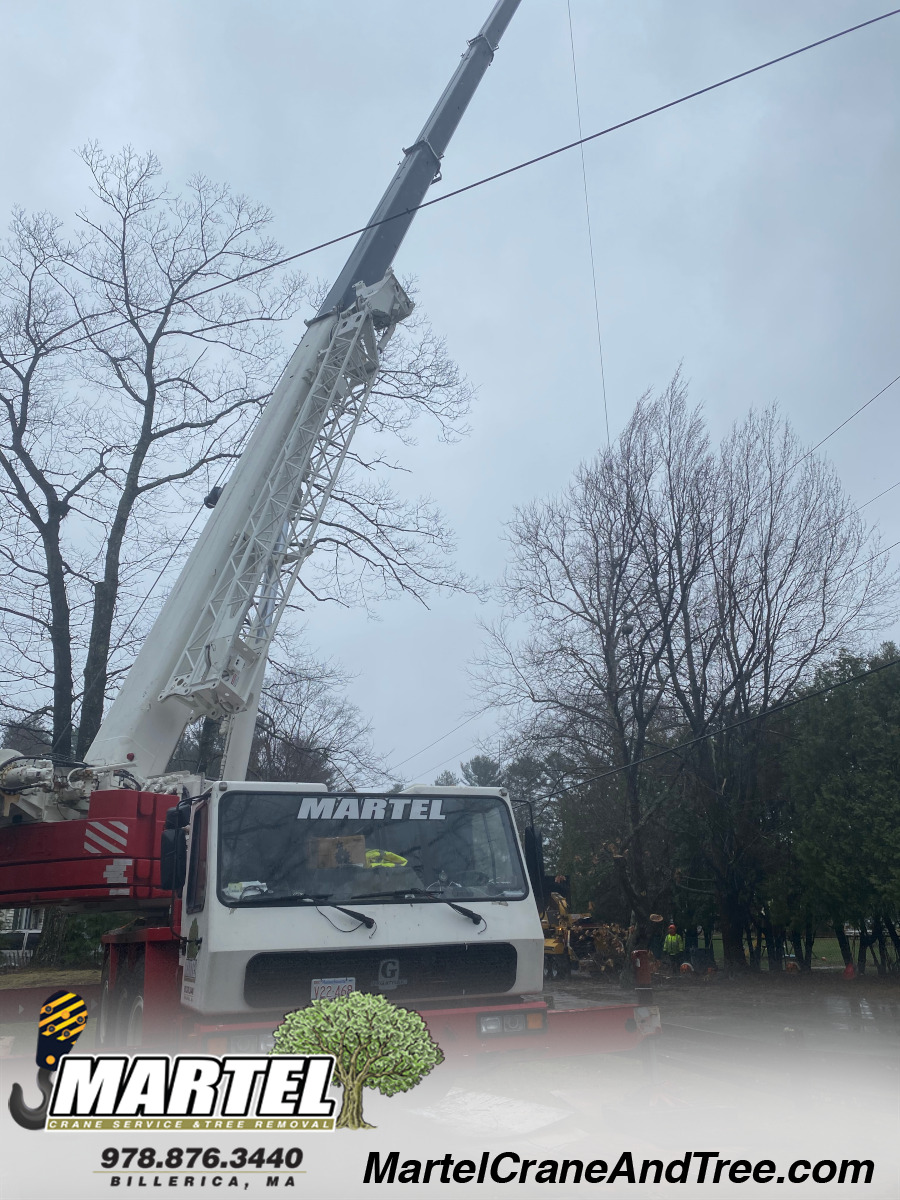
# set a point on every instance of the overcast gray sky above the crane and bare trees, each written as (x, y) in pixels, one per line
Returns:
(751, 235)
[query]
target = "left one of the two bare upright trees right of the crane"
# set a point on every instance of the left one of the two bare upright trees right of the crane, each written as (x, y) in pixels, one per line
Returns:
(596, 575)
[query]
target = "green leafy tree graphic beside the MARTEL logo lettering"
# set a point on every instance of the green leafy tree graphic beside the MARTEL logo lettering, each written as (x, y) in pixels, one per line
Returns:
(375, 1045)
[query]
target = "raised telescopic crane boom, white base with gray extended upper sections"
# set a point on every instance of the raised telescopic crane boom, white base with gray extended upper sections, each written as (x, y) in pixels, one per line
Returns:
(206, 655)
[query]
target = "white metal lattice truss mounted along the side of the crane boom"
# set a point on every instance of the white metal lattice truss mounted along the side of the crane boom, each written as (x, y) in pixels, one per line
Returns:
(238, 623)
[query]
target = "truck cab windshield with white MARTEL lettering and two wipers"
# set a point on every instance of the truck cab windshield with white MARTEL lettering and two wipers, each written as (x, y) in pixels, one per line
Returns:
(385, 849)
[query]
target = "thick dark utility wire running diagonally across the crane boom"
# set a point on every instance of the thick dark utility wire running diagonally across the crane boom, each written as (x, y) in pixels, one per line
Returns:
(502, 175)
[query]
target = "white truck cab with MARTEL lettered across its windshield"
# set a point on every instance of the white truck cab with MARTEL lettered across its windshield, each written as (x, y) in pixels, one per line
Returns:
(295, 893)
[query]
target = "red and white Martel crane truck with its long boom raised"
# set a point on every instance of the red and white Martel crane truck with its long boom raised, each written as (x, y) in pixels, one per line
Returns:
(251, 898)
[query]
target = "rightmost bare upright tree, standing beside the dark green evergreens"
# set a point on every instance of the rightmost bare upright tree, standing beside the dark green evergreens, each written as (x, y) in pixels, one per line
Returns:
(795, 578)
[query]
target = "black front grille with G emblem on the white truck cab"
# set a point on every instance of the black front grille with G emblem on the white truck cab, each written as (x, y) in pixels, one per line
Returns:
(398, 973)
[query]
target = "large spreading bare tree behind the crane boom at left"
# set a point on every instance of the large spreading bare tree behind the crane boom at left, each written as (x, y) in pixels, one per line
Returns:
(134, 358)
